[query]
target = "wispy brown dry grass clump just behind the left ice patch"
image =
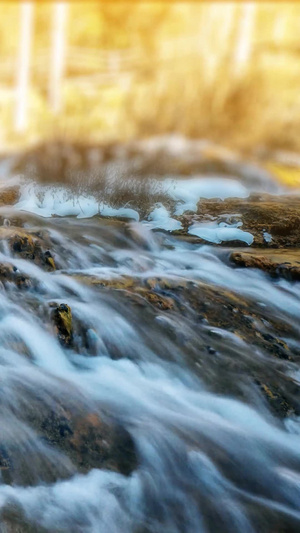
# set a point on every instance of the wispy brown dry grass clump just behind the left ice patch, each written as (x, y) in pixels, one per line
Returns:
(114, 181)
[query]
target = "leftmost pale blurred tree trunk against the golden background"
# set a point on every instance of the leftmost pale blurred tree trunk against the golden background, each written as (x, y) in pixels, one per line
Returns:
(23, 68)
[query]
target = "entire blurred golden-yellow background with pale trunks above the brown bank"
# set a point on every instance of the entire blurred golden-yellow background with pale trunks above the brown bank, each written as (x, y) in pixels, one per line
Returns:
(95, 72)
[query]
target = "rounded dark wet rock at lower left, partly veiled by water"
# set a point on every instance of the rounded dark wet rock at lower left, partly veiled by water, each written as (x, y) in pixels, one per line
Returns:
(64, 441)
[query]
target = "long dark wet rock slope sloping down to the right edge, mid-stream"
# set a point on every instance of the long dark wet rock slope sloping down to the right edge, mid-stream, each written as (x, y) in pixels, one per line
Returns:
(228, 339)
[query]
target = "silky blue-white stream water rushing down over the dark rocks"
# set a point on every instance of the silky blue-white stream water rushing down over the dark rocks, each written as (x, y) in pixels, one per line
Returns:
(211, 457)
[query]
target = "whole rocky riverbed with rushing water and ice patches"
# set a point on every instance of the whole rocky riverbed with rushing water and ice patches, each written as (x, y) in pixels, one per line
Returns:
(150, 369)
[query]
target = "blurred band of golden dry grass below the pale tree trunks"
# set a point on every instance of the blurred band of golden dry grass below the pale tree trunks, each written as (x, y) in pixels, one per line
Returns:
(261, 107)
